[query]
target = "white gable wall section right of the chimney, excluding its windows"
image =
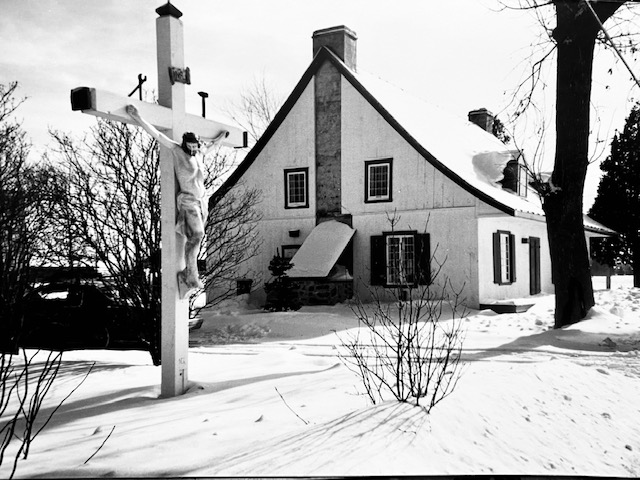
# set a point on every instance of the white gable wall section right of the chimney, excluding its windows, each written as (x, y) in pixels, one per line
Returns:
(423, 198)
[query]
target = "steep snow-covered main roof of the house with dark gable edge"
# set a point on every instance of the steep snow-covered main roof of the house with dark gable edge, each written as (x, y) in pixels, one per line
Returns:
(454, 146)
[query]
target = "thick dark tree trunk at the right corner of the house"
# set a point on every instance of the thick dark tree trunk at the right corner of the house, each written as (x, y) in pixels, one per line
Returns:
(575, 35)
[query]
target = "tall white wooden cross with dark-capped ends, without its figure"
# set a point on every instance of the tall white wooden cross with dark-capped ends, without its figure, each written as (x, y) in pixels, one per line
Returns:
(169, 117)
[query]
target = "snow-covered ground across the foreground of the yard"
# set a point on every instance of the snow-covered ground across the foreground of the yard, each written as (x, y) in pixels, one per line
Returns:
(270, 397)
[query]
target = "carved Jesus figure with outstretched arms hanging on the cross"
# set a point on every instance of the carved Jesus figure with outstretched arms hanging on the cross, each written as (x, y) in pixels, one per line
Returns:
(191, 202)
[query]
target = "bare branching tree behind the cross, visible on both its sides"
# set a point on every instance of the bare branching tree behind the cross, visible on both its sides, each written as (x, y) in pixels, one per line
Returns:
(113, 207)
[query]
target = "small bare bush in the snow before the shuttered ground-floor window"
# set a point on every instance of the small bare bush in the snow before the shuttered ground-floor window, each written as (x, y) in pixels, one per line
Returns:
(406, 344)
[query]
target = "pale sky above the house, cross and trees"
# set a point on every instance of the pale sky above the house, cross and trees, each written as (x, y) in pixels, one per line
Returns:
(459, 54)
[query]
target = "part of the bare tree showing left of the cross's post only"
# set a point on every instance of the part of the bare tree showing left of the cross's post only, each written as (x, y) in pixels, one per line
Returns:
(112, 210)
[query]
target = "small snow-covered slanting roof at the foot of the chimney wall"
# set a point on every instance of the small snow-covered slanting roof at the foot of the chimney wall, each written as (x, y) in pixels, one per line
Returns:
(321, 250)
